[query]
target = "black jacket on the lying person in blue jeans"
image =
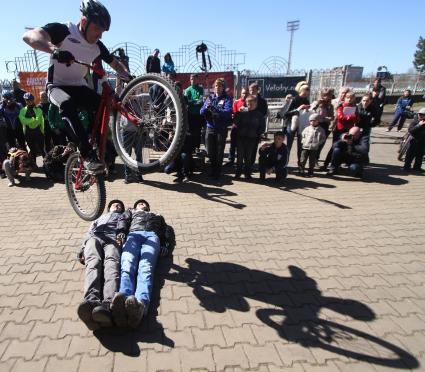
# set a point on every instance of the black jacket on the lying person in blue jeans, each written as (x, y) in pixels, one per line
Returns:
(139, 220)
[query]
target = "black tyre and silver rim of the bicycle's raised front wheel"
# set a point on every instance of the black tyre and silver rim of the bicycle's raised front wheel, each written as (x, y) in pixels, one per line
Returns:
(179, 129)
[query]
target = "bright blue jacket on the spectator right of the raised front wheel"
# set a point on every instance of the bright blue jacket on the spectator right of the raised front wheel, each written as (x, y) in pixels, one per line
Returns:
(219, 114)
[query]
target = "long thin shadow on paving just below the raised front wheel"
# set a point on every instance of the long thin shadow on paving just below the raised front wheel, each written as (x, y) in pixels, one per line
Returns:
(215, 194)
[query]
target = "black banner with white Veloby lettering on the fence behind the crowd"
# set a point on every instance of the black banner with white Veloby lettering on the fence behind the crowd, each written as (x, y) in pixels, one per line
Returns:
(276, 87)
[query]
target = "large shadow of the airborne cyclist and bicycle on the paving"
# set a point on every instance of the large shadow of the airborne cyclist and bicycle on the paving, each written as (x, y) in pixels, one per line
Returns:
(297, 300)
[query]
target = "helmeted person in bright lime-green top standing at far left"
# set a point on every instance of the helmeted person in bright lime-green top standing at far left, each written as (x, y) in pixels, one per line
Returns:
(32, 120)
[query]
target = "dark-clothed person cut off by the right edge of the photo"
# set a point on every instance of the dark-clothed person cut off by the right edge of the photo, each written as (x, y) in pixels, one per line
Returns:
(416, 147)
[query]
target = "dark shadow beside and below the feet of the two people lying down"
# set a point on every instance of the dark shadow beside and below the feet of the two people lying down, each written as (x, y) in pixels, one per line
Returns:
(127, 341)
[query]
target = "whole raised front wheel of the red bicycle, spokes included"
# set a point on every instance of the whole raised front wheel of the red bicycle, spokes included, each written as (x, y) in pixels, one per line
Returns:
(156, 102)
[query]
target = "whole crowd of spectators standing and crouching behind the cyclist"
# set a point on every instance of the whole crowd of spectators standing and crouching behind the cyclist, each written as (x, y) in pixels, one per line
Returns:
(28, 131)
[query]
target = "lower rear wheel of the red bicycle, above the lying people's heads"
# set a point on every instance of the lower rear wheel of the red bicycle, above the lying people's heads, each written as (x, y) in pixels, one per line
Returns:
(98, 196)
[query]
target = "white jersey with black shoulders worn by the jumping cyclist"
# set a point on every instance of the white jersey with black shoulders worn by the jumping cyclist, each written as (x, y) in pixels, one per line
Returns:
(68, 37)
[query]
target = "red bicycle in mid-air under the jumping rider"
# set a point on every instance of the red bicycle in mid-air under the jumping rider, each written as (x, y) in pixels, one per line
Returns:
(149, 125)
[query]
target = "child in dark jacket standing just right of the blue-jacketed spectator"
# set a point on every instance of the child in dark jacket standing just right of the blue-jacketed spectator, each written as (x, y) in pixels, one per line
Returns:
(250, 125)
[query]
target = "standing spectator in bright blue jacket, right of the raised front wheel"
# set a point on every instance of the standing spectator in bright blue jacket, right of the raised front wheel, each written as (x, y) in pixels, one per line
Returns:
(217, 111)
